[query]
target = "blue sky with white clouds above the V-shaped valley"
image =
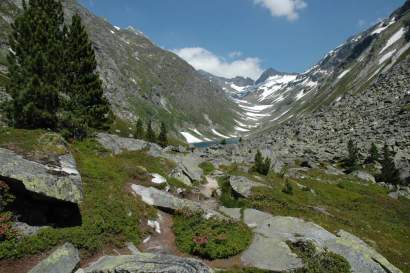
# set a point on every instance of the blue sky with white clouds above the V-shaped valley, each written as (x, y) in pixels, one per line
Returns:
(244, 37)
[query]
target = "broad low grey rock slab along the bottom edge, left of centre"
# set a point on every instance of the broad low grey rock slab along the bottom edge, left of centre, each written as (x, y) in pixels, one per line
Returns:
(145, 262)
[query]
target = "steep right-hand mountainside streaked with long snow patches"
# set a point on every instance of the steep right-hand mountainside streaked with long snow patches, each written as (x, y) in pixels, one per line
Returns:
(353, 67)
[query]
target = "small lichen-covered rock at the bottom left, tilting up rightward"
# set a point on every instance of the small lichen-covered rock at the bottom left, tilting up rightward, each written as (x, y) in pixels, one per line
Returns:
(64, 260)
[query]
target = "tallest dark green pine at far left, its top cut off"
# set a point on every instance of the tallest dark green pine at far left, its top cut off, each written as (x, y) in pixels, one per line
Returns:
(35, 69)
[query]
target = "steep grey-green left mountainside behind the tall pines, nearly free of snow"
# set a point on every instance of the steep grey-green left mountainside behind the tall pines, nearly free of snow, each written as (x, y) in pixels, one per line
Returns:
(140, 79)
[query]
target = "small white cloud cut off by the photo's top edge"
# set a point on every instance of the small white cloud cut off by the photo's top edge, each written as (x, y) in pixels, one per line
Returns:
(279, 8)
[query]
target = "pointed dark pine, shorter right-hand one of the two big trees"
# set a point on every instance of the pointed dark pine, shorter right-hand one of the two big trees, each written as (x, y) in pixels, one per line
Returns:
(85, 105)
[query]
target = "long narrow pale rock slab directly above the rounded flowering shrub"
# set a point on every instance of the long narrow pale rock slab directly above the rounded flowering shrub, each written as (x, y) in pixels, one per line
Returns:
(167, 202)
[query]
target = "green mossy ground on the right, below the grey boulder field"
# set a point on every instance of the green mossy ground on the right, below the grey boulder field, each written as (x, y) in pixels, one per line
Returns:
(338, 202)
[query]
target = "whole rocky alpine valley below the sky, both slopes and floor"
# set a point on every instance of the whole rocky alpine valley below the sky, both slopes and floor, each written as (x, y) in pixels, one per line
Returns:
(293, 172)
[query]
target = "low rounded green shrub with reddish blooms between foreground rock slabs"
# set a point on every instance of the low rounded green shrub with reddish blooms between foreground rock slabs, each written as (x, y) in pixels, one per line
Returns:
(210, 239)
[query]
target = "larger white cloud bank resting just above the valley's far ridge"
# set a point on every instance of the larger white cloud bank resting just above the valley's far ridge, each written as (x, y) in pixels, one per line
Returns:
(203, 59)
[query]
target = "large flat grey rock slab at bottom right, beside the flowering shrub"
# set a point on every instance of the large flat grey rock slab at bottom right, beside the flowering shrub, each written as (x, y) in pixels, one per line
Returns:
(278, 230)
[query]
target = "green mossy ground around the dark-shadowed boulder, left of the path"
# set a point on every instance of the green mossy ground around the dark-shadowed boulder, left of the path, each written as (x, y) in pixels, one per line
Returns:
(110, 214)
